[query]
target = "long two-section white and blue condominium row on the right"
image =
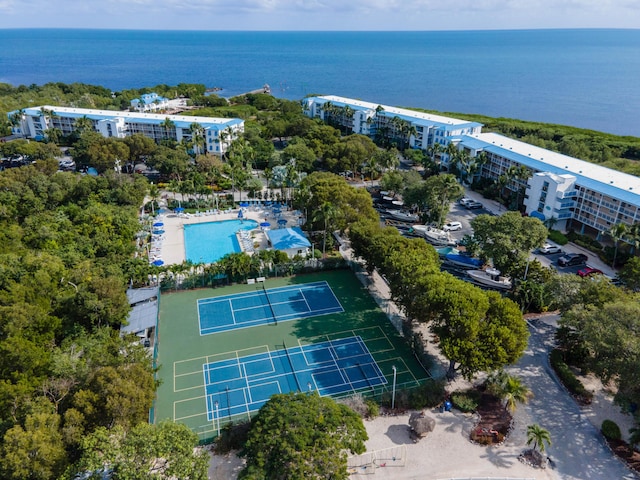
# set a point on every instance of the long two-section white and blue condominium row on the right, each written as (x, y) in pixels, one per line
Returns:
(577, 194)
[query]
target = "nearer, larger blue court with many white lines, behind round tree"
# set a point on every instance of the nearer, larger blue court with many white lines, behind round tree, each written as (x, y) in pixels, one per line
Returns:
(243, 385)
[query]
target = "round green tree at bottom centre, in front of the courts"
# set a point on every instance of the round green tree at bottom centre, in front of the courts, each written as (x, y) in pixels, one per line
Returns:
(302, 436)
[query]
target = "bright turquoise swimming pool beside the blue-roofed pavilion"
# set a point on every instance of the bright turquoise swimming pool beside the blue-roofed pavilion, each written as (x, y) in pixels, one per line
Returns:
(209, 242)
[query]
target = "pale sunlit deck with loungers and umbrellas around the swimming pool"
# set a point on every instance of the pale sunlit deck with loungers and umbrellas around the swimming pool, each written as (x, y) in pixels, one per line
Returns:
(171, 248)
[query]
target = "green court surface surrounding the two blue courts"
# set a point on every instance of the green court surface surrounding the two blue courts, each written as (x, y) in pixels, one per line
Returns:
(182, 351)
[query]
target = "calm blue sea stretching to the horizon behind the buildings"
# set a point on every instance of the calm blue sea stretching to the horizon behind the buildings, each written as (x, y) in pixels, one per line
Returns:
(585, 78)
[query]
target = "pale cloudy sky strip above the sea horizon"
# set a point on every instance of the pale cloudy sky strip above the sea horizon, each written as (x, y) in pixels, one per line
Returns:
(320, 14)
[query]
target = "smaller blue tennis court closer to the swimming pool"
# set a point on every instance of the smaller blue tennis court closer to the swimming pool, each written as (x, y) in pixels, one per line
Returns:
(265, 306)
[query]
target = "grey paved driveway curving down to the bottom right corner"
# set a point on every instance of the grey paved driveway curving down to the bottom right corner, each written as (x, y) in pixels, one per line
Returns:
(578, 450)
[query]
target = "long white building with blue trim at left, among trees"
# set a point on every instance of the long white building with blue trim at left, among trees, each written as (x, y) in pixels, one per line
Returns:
(215, 133)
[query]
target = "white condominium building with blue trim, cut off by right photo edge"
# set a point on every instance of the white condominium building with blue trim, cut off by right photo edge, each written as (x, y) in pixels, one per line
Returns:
(577, 193)
